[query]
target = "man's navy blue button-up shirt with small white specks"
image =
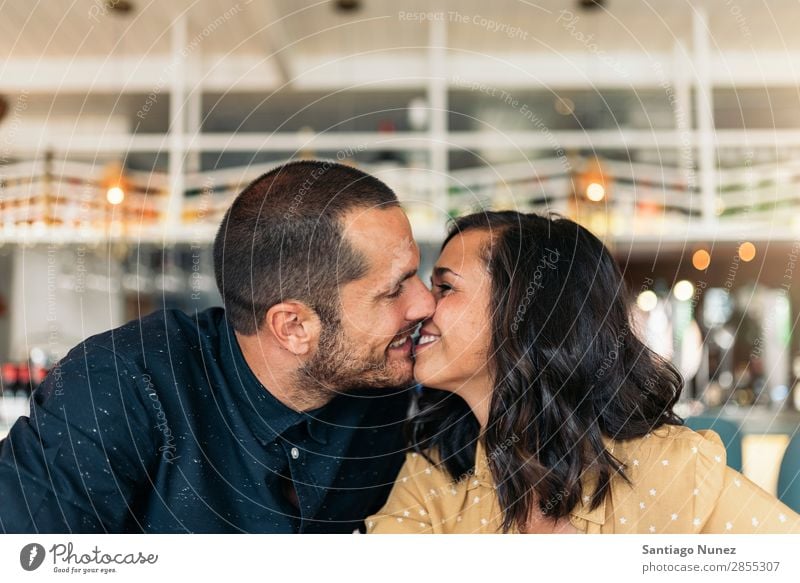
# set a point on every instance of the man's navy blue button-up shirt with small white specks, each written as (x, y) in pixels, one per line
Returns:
(161, 426)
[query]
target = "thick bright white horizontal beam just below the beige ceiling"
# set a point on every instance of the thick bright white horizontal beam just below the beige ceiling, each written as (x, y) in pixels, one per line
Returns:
(387, 70)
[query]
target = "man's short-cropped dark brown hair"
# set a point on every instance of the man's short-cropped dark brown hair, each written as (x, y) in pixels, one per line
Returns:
(282, 238)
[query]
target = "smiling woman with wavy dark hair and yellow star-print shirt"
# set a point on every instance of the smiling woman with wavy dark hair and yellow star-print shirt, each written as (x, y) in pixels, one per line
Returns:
(550, 415)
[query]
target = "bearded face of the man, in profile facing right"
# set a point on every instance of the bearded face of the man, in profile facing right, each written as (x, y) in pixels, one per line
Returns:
(371, 346)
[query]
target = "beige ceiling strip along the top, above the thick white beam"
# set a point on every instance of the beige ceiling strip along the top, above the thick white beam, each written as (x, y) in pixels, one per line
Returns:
(309, 28)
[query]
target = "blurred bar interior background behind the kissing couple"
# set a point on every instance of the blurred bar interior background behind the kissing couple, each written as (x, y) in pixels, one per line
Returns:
(671, 129)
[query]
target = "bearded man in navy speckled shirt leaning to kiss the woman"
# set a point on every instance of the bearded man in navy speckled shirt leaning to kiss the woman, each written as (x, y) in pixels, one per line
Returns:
(281, 413)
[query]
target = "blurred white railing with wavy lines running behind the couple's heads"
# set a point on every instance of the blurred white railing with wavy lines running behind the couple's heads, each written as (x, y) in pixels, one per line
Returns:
(66, 201)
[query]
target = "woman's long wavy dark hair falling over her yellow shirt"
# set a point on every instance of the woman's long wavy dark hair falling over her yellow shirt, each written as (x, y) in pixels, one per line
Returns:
(567, 369)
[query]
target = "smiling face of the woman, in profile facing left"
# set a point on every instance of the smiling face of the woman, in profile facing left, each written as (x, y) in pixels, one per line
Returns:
(453, 349)
